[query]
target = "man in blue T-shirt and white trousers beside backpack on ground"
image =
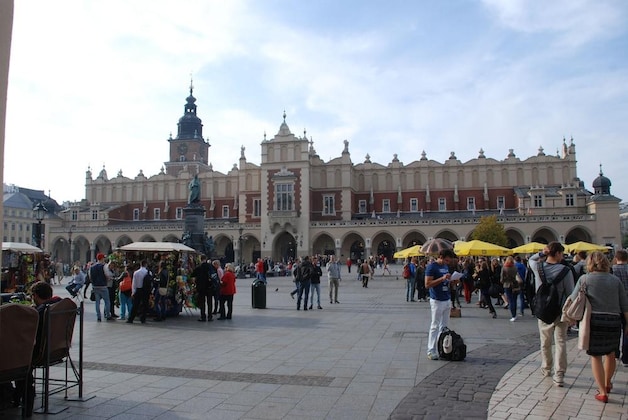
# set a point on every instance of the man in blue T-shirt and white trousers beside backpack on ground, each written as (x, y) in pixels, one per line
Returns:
(437, 280)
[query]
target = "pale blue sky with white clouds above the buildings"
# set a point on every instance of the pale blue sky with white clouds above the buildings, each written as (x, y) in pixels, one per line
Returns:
(103, 83)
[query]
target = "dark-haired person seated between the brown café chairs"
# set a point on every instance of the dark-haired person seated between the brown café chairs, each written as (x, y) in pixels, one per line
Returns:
(41, 293)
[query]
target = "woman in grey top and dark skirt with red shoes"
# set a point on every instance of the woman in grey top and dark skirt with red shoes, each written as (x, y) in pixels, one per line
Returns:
(608, 300)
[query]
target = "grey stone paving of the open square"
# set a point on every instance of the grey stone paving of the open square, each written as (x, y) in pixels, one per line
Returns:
(361, 359)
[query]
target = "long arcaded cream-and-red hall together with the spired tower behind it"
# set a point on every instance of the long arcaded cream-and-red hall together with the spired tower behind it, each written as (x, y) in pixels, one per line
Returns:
(293, 203)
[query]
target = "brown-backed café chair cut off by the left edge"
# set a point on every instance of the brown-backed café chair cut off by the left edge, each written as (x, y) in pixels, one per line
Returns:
(18, 330)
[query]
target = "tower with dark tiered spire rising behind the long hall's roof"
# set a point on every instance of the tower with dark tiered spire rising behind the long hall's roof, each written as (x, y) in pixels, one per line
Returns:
(188, 148)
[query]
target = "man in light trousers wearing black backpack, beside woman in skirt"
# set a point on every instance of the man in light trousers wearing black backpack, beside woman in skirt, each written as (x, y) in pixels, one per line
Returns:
(554, 282)
